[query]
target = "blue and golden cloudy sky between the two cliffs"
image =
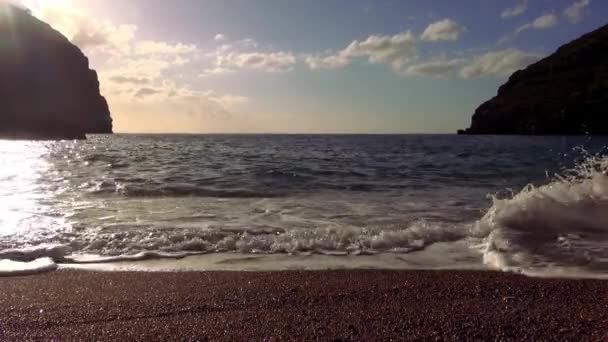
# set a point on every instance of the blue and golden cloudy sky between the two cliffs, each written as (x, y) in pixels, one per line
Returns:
(313, 66)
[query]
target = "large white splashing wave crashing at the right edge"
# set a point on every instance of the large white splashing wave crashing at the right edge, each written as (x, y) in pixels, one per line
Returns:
(560, 227)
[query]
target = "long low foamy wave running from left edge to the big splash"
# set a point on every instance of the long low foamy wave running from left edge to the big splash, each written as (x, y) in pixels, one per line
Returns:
(114, 244)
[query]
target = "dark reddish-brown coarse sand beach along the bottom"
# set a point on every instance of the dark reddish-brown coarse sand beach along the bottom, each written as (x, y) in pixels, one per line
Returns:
(343, 305)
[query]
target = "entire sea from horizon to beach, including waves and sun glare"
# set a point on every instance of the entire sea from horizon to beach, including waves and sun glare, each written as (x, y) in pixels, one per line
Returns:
(536, 205)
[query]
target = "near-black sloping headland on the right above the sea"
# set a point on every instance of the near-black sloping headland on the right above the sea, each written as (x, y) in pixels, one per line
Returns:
(565, 93)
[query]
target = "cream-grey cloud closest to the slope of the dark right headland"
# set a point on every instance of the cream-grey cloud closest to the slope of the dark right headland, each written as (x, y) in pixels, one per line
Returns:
(498, 63)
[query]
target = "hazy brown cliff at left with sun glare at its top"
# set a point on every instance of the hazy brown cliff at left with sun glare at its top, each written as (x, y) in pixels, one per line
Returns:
(46, 87)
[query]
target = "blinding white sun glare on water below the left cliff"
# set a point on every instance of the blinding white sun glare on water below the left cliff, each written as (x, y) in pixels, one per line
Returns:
(23, 167)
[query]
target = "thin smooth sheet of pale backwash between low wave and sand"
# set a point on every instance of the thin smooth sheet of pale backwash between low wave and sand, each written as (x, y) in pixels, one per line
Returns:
(439, 256)
